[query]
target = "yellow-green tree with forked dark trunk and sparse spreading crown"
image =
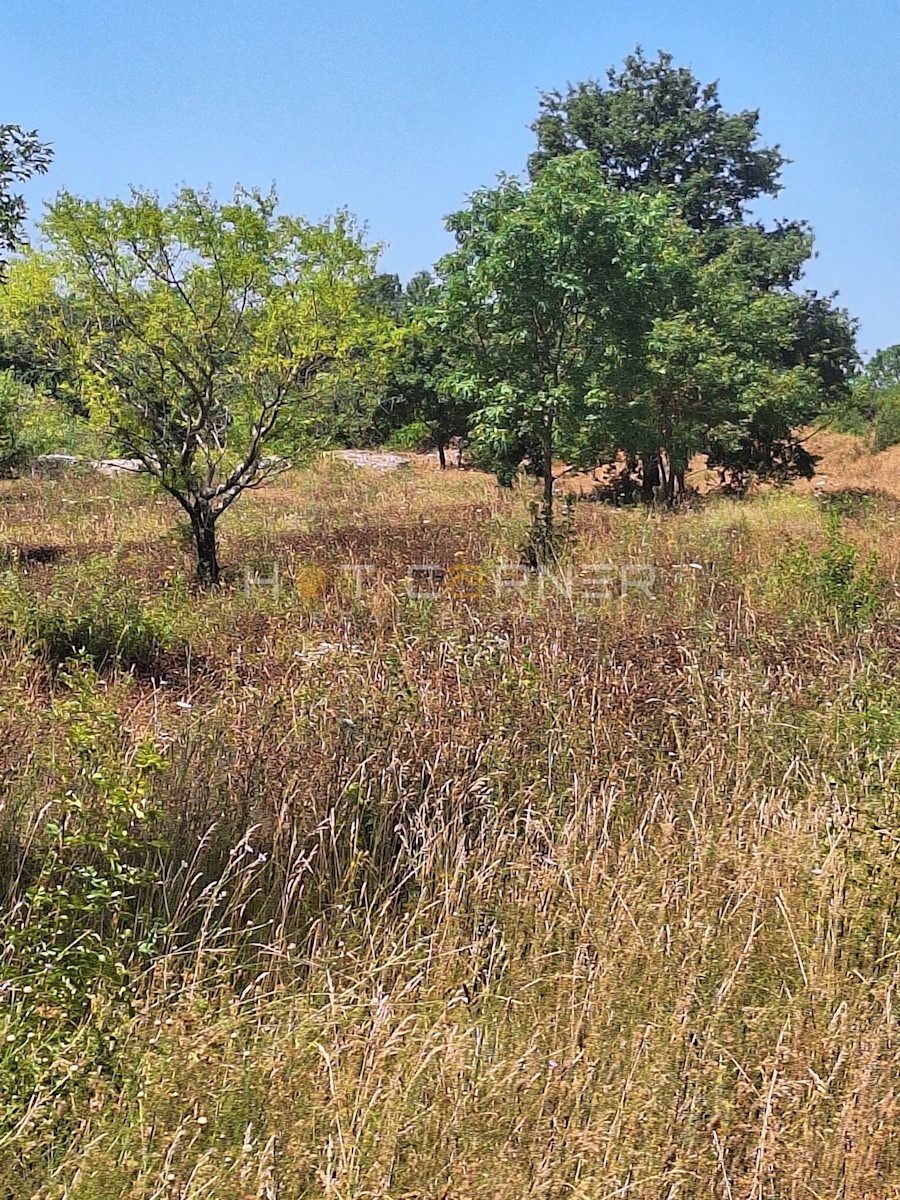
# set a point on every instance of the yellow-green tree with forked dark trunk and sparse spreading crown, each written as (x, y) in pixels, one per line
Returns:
(196, 333)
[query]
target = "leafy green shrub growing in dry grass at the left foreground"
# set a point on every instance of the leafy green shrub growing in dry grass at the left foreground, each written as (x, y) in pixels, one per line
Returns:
(76, 940)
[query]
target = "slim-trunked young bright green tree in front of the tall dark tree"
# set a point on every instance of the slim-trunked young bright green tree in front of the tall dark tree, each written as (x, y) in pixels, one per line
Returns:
(548, 303)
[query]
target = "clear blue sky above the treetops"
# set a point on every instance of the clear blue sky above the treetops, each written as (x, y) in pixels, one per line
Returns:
(399, 110)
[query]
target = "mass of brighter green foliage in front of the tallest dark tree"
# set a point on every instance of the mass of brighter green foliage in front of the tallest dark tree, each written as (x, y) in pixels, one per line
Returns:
(664, 356)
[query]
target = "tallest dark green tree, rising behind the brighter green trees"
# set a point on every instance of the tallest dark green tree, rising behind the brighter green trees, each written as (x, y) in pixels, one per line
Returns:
(653, 128)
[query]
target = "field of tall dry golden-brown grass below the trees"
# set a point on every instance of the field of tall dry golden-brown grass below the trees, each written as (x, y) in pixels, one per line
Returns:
(523, 890)
